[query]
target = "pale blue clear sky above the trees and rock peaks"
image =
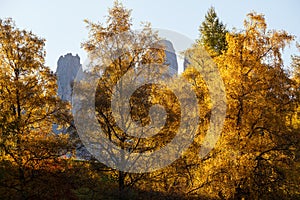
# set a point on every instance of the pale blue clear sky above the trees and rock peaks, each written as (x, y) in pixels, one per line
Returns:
(60, 22)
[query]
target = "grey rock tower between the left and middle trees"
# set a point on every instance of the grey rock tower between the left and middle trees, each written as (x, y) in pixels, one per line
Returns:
(67, 69)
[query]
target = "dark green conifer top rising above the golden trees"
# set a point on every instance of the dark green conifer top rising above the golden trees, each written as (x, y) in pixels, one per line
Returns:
(213, 33)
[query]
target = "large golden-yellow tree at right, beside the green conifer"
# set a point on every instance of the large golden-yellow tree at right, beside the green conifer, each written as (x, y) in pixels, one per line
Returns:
(258, 144)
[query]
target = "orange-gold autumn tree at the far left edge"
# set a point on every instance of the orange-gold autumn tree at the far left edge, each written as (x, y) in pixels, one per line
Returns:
(28, 108)
